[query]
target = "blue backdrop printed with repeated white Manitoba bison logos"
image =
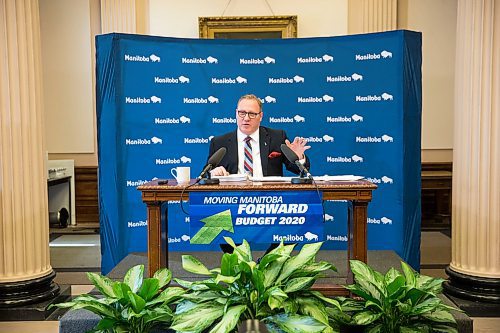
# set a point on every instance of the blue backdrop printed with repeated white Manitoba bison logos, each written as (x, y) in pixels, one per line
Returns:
(357, 100)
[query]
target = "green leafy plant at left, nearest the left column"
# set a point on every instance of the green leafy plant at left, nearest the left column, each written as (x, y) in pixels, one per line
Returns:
(135, 305)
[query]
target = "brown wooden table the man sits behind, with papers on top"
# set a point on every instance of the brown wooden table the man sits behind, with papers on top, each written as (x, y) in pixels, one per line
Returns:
(357, 193)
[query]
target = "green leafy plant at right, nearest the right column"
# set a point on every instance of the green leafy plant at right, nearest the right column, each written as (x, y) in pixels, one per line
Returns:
(394, 302)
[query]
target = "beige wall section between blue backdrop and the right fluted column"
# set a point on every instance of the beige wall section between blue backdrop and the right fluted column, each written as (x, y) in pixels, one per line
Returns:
(437, 21)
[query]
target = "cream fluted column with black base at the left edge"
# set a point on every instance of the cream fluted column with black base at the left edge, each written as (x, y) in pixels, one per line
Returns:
(25, 272)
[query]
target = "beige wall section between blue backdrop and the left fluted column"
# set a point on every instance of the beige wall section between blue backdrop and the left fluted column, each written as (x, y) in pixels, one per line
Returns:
(67, 76)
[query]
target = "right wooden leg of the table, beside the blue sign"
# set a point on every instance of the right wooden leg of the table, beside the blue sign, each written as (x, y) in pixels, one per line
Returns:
(356, 230)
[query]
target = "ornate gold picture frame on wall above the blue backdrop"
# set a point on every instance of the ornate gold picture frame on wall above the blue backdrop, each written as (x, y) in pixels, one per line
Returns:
(248, 27)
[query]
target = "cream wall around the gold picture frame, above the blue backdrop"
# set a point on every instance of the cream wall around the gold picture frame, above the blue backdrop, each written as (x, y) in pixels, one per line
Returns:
(315, 17)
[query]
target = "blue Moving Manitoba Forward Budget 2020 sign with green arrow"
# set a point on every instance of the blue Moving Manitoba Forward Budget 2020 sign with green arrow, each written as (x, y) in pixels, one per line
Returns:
(258, 217)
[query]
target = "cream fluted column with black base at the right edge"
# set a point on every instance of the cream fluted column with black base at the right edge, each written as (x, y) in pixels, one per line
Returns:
(474, 270)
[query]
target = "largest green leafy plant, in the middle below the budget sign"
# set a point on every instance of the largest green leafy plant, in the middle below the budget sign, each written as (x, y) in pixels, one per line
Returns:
(276, 290)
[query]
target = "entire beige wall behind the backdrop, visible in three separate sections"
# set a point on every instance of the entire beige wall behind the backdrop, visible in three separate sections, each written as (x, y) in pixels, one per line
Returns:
(68, 67)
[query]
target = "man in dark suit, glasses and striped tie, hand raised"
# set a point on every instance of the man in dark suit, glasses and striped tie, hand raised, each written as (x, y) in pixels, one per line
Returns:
(255, 149)
